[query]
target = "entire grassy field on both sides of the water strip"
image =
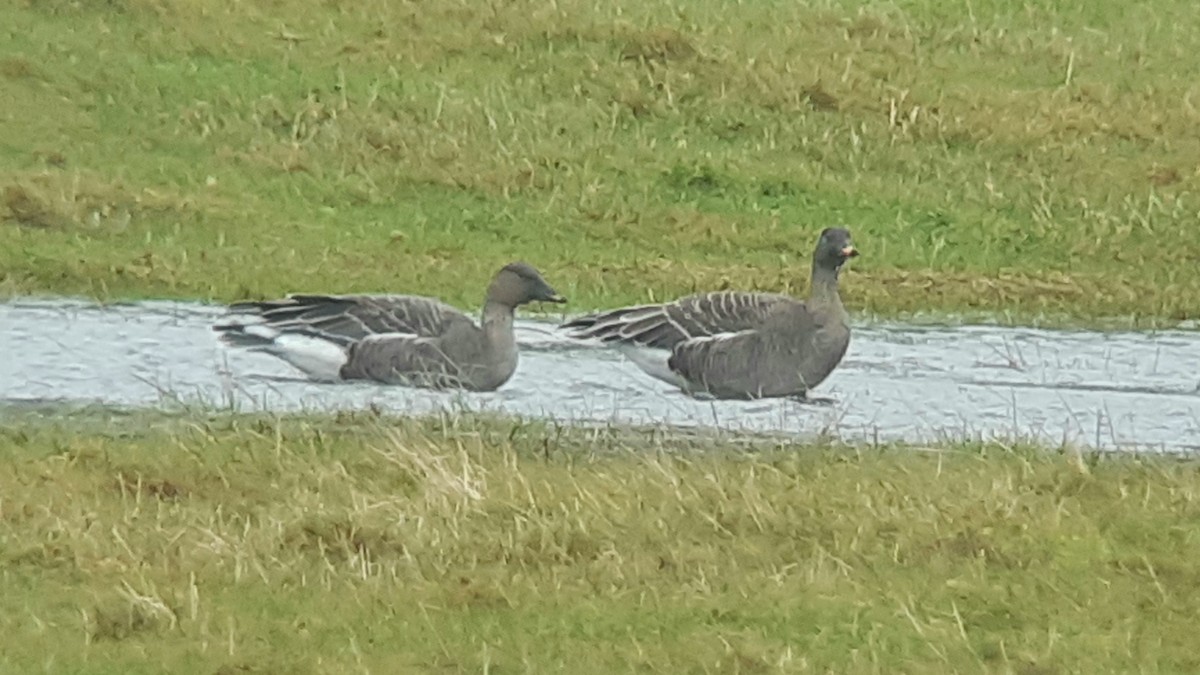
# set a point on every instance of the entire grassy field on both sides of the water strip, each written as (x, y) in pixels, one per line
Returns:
(1027, 162)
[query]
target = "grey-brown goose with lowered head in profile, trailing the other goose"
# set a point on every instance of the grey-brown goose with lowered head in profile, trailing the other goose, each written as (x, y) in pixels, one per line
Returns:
(409, 341)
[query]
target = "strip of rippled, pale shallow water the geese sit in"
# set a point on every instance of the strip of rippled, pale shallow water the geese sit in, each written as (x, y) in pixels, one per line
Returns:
(898, 383)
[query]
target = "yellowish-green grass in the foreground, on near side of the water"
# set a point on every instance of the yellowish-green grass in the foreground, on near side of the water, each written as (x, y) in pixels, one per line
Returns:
(383, 546)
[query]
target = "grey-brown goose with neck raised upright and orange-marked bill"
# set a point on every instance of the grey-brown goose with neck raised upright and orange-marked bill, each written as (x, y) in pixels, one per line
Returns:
(737, 345)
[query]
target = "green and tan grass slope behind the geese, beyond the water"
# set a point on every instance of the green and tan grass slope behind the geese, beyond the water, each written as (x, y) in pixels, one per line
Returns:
(1012, 159)
